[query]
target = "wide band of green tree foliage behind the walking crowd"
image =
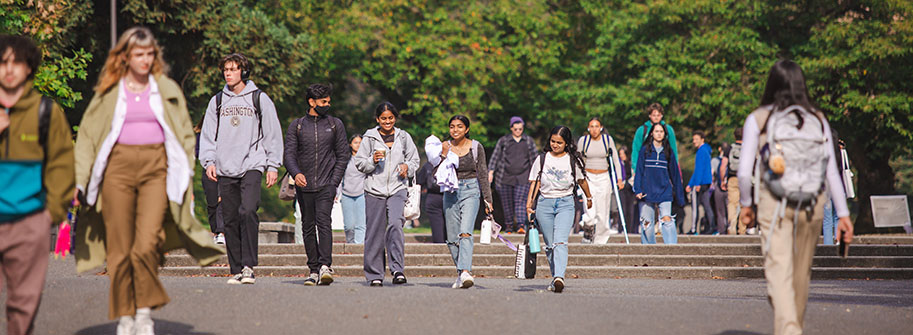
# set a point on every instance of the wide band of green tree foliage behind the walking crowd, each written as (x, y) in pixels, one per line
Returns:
(551, 62)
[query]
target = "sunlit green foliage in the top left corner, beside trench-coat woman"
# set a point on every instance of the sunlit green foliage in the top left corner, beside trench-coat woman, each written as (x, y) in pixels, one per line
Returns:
(51, 24)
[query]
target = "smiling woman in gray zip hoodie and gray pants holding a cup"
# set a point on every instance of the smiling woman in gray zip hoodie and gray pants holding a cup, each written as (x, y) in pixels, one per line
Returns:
(389, 158)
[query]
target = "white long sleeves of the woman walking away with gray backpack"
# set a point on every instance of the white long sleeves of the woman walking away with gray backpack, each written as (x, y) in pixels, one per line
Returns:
(750, 139)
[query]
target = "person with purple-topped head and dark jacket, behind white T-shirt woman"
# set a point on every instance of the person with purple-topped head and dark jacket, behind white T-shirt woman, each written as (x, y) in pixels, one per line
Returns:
(510, 163)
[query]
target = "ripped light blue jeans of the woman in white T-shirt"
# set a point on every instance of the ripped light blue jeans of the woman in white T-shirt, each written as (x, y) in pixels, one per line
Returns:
(555, 217)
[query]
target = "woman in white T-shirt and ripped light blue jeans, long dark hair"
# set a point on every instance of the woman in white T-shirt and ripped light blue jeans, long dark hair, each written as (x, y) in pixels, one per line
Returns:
(556, 173)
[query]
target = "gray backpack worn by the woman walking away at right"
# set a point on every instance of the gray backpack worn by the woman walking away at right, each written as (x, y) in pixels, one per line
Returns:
(796, 136)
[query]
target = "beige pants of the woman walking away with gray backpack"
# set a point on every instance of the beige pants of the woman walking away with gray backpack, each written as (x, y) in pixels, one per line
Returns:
(787, 264)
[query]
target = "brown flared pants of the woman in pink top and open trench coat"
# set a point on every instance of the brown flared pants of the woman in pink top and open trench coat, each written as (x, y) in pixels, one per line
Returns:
(134, 202)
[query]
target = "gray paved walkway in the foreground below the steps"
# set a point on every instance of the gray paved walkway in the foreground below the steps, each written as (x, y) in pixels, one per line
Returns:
(281, 305)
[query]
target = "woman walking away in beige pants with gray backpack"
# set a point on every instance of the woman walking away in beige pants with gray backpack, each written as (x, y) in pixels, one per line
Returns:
(790, 233)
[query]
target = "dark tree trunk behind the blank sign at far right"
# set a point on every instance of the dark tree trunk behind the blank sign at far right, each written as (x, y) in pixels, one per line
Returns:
(874, 177)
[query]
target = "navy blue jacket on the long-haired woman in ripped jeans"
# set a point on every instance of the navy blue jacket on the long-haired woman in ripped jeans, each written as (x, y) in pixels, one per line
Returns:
(658, 177)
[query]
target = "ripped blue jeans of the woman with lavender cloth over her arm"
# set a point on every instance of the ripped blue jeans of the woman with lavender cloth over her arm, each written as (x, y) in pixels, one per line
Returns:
(460, 210)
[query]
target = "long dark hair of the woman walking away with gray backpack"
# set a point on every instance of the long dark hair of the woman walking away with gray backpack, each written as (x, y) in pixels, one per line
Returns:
(786, 87)
